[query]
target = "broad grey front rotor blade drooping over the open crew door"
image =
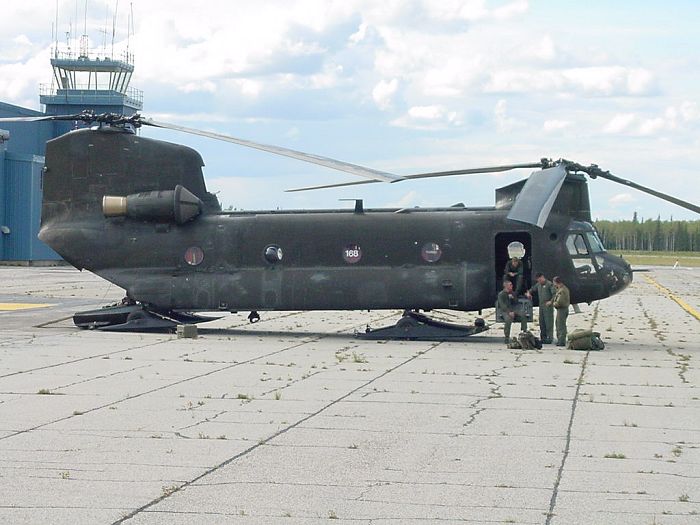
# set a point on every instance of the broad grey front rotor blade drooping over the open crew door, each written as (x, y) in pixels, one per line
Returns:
(535, 200)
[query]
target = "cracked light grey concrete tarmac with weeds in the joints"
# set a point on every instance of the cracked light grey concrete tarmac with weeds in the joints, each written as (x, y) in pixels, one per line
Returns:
(294, 421)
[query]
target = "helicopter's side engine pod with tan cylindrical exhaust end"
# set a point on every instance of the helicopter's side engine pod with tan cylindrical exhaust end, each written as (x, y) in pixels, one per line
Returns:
(178, 205)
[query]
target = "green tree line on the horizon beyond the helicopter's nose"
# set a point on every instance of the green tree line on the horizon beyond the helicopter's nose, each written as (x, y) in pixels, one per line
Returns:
(650, 235)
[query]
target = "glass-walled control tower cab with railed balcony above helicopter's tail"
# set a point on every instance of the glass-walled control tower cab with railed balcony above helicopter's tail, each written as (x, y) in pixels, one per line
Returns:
(87, 81)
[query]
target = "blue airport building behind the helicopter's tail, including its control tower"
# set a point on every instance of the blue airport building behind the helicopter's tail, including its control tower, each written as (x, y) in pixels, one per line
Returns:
(83, 82)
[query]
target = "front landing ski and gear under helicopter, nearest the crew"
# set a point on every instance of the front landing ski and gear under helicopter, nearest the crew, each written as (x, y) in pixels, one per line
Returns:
(414, 326)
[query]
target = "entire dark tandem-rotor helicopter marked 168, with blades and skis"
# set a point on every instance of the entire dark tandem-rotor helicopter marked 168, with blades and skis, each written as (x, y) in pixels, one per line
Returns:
(136, 212)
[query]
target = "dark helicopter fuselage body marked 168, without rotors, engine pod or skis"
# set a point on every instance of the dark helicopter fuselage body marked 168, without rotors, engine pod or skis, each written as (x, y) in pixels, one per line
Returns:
(329, 259)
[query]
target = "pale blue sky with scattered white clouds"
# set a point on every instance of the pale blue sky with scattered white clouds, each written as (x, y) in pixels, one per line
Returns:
(401, 86)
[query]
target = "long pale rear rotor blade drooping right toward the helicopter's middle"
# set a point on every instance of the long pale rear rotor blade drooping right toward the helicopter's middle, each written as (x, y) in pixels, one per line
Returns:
(278, 150)
